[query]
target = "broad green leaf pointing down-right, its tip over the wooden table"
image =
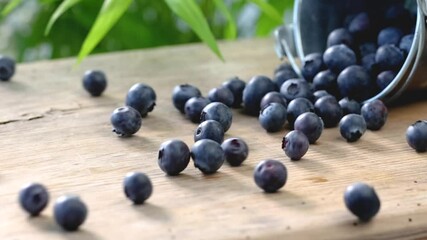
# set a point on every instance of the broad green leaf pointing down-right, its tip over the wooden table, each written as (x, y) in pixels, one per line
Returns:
(191, 13)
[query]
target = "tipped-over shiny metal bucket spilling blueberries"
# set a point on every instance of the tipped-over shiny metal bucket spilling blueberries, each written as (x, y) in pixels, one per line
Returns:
(313, 20)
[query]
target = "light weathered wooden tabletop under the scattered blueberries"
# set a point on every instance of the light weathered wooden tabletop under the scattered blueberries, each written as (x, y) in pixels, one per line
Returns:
(54, 133)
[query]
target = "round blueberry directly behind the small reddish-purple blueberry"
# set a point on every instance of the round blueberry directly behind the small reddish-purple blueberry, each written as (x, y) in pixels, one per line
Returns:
(311, 125)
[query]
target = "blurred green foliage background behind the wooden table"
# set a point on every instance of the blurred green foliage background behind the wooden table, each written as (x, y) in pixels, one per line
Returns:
(146, 24)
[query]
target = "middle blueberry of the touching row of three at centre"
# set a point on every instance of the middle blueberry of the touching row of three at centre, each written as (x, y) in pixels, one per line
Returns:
(207, 155)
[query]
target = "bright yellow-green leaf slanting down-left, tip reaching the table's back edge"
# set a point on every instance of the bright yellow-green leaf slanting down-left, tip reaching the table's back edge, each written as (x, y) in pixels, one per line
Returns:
(110, 13)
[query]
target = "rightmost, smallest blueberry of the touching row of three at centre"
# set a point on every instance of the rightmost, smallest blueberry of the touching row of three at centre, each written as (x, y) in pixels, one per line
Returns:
(236, 151)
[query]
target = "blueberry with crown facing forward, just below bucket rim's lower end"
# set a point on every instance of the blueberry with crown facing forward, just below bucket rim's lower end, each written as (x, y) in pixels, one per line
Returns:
(352, 127)
